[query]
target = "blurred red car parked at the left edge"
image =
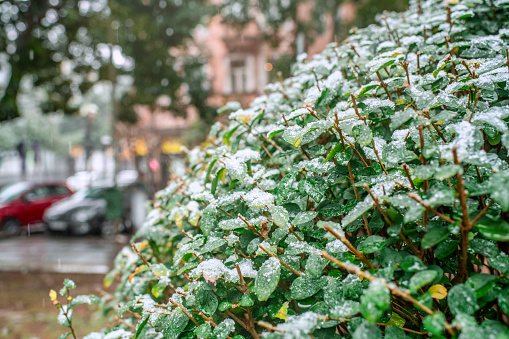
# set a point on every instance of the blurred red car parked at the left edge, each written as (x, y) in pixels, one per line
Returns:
(24, 203)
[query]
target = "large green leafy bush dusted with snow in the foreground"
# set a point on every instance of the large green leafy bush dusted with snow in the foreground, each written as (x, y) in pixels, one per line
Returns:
(365, 197)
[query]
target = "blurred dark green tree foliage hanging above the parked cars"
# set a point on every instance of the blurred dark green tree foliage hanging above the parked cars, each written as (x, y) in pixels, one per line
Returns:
(41, 38)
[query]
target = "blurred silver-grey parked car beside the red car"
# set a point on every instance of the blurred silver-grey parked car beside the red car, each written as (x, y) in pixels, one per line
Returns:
(91, 210)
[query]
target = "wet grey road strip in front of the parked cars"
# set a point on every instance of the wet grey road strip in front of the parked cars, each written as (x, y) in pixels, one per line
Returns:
(43, 253)
